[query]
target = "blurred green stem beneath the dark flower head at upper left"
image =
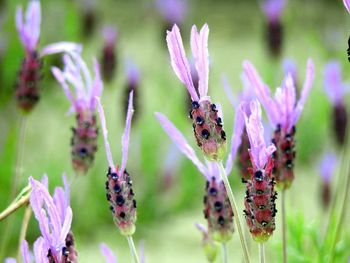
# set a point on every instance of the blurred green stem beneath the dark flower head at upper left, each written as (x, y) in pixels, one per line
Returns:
(19, 156)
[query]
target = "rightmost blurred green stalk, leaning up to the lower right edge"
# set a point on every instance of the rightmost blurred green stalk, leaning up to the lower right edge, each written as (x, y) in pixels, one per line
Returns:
(344, 205)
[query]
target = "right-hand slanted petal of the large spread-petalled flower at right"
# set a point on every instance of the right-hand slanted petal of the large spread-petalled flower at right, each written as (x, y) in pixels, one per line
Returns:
(310, 74)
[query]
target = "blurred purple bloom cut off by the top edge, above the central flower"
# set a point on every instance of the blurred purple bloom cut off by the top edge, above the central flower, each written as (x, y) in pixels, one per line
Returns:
(174, 11)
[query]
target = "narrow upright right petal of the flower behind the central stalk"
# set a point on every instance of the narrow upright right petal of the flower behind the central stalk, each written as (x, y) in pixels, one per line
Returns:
(236, 139)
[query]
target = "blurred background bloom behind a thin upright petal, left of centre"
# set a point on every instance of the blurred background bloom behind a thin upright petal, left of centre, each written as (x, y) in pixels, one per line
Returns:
(132, 84)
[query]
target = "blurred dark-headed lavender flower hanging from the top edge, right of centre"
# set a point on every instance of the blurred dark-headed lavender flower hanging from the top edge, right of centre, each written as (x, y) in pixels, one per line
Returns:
(273, 10)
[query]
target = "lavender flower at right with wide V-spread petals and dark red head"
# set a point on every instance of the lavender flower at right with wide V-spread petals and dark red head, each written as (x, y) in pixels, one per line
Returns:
(283, 112)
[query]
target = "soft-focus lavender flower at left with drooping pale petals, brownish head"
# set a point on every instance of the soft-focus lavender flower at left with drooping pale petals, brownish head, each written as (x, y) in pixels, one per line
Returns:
(83, 103)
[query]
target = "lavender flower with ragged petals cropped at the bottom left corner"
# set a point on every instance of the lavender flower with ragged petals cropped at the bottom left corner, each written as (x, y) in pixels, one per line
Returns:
(54, 216)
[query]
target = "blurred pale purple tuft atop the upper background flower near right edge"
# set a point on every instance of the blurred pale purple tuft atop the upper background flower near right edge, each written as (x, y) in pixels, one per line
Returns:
(333, 82)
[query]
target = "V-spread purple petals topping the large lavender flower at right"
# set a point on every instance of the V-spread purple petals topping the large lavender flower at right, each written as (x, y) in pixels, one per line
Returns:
(283, 109)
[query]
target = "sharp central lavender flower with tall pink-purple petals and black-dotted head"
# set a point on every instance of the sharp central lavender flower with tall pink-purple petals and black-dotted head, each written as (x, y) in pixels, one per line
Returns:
(210, 136)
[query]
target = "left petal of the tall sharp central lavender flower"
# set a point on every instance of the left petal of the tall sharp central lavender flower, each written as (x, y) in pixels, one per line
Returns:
(179, 61)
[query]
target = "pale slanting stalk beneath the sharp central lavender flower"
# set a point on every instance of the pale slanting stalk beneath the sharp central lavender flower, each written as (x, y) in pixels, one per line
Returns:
(235, 211)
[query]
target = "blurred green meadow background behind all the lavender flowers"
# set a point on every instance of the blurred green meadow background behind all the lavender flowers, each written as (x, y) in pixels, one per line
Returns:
(168, 188)
